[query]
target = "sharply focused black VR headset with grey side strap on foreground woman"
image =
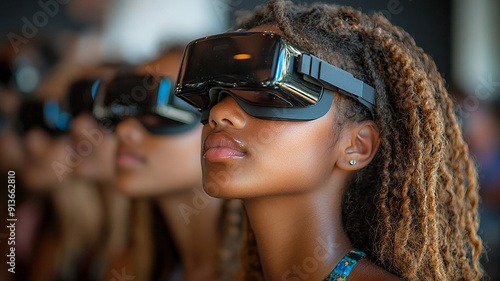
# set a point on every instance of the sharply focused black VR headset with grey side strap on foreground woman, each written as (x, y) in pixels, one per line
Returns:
(268, 76)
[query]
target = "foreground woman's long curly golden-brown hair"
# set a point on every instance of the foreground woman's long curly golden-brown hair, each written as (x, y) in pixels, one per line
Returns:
(414, 208)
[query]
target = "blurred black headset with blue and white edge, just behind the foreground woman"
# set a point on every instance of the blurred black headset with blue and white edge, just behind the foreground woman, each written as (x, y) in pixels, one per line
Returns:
(148, 98)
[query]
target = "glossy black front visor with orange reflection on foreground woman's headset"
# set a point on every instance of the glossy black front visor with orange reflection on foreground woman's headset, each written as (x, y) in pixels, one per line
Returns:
(262, 62)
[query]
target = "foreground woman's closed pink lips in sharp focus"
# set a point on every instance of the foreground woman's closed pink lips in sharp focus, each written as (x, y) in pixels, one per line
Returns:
(220, 146)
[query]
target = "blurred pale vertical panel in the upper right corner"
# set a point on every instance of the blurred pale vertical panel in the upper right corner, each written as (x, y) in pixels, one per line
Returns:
(476, 52)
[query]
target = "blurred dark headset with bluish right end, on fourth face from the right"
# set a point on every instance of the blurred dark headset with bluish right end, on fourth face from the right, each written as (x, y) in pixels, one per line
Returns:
(44, 115)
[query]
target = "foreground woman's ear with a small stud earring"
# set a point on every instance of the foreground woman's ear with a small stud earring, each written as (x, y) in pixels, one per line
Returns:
(359, 145)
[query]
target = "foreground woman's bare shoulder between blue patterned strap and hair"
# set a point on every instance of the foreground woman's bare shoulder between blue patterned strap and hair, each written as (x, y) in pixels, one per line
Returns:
(365, 270)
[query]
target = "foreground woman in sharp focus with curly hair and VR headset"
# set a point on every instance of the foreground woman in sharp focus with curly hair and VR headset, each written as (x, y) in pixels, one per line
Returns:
(338, 134)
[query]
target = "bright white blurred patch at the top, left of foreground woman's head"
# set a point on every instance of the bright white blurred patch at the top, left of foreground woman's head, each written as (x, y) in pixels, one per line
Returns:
(136, 30)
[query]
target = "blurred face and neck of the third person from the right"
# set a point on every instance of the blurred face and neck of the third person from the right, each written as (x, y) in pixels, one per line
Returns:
(97, 146)
